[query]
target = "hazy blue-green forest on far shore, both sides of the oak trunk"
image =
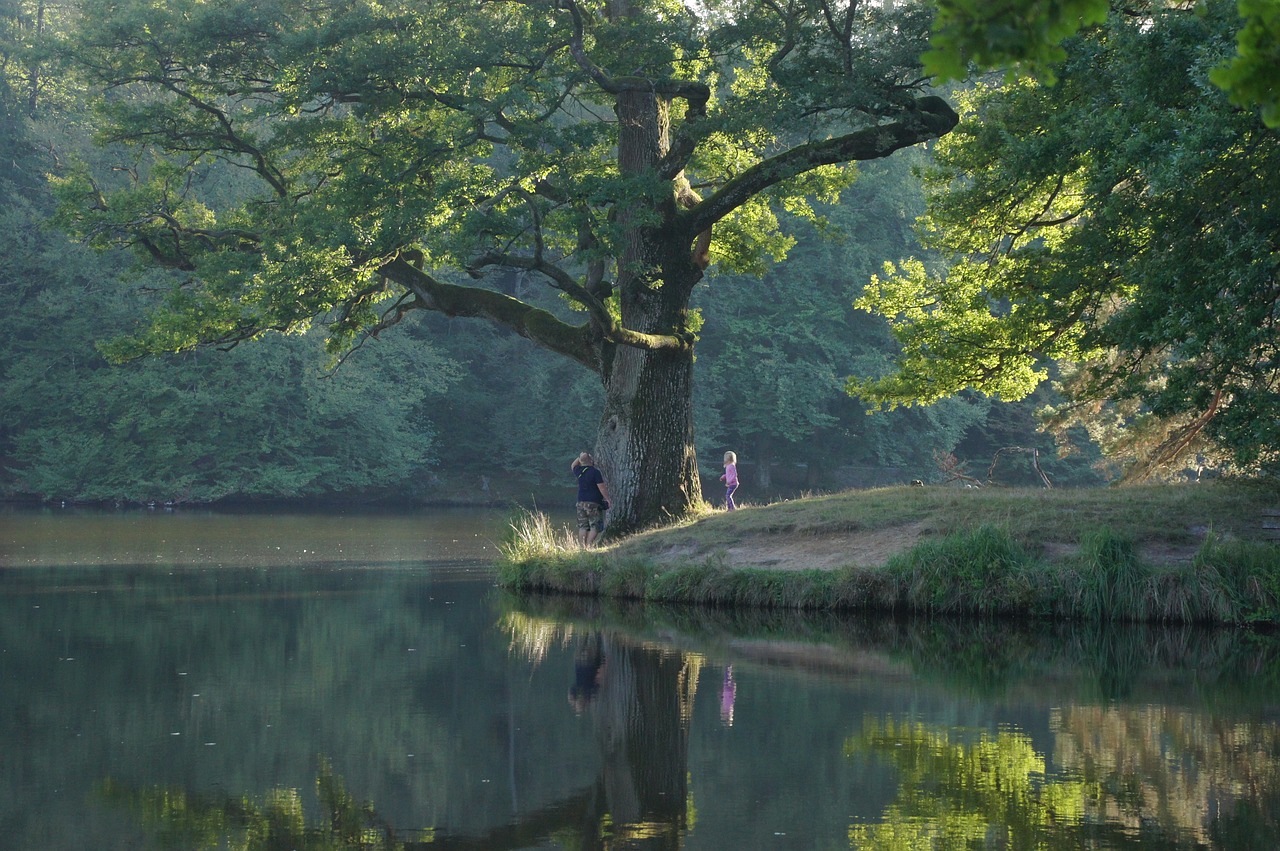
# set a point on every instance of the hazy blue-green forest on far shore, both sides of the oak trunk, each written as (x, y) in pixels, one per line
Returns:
(435, 413)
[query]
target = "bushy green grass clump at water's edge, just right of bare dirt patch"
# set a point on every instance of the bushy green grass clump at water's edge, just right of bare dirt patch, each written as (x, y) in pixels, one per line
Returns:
(981, 571)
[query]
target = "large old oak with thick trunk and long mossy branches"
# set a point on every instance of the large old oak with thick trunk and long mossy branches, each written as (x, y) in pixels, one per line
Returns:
(409, 155)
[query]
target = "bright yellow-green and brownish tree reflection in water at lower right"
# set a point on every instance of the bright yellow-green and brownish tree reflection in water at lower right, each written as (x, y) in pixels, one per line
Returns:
(1150, 779)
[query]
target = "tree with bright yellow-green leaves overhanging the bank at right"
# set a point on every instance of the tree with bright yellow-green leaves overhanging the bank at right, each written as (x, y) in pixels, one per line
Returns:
(1122, 221)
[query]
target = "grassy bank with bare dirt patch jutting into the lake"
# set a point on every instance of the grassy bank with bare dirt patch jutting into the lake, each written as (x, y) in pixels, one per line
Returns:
(1176, 553)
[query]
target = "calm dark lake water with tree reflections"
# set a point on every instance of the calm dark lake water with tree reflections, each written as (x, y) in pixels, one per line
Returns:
(199, 680)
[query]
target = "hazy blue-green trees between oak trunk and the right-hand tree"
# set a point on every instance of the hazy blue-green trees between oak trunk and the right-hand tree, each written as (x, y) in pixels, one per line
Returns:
(778, 349)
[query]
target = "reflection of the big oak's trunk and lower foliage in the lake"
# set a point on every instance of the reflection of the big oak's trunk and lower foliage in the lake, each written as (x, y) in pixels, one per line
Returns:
(639, 701)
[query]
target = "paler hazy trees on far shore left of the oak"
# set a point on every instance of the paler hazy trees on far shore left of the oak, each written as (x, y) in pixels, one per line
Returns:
(196, 427)
